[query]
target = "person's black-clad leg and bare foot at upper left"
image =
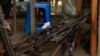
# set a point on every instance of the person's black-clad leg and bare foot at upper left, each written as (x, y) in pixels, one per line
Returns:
(6, 8)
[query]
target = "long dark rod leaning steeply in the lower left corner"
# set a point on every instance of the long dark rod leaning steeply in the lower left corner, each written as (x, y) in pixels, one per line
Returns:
(5, 38)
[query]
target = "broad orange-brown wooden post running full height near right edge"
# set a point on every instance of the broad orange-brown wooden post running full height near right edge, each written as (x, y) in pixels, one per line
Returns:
(93, 51)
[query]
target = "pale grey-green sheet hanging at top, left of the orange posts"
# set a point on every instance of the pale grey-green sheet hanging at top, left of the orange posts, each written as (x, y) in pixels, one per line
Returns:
(68, 9)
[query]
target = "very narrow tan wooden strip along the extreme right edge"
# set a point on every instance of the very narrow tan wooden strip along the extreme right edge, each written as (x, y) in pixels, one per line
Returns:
(98, 54)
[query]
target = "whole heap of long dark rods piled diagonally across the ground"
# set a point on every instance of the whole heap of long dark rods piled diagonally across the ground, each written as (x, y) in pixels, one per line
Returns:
(64, 33)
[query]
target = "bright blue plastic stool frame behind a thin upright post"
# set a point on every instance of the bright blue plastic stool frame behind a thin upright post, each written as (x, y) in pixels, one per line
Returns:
(46, 15)
